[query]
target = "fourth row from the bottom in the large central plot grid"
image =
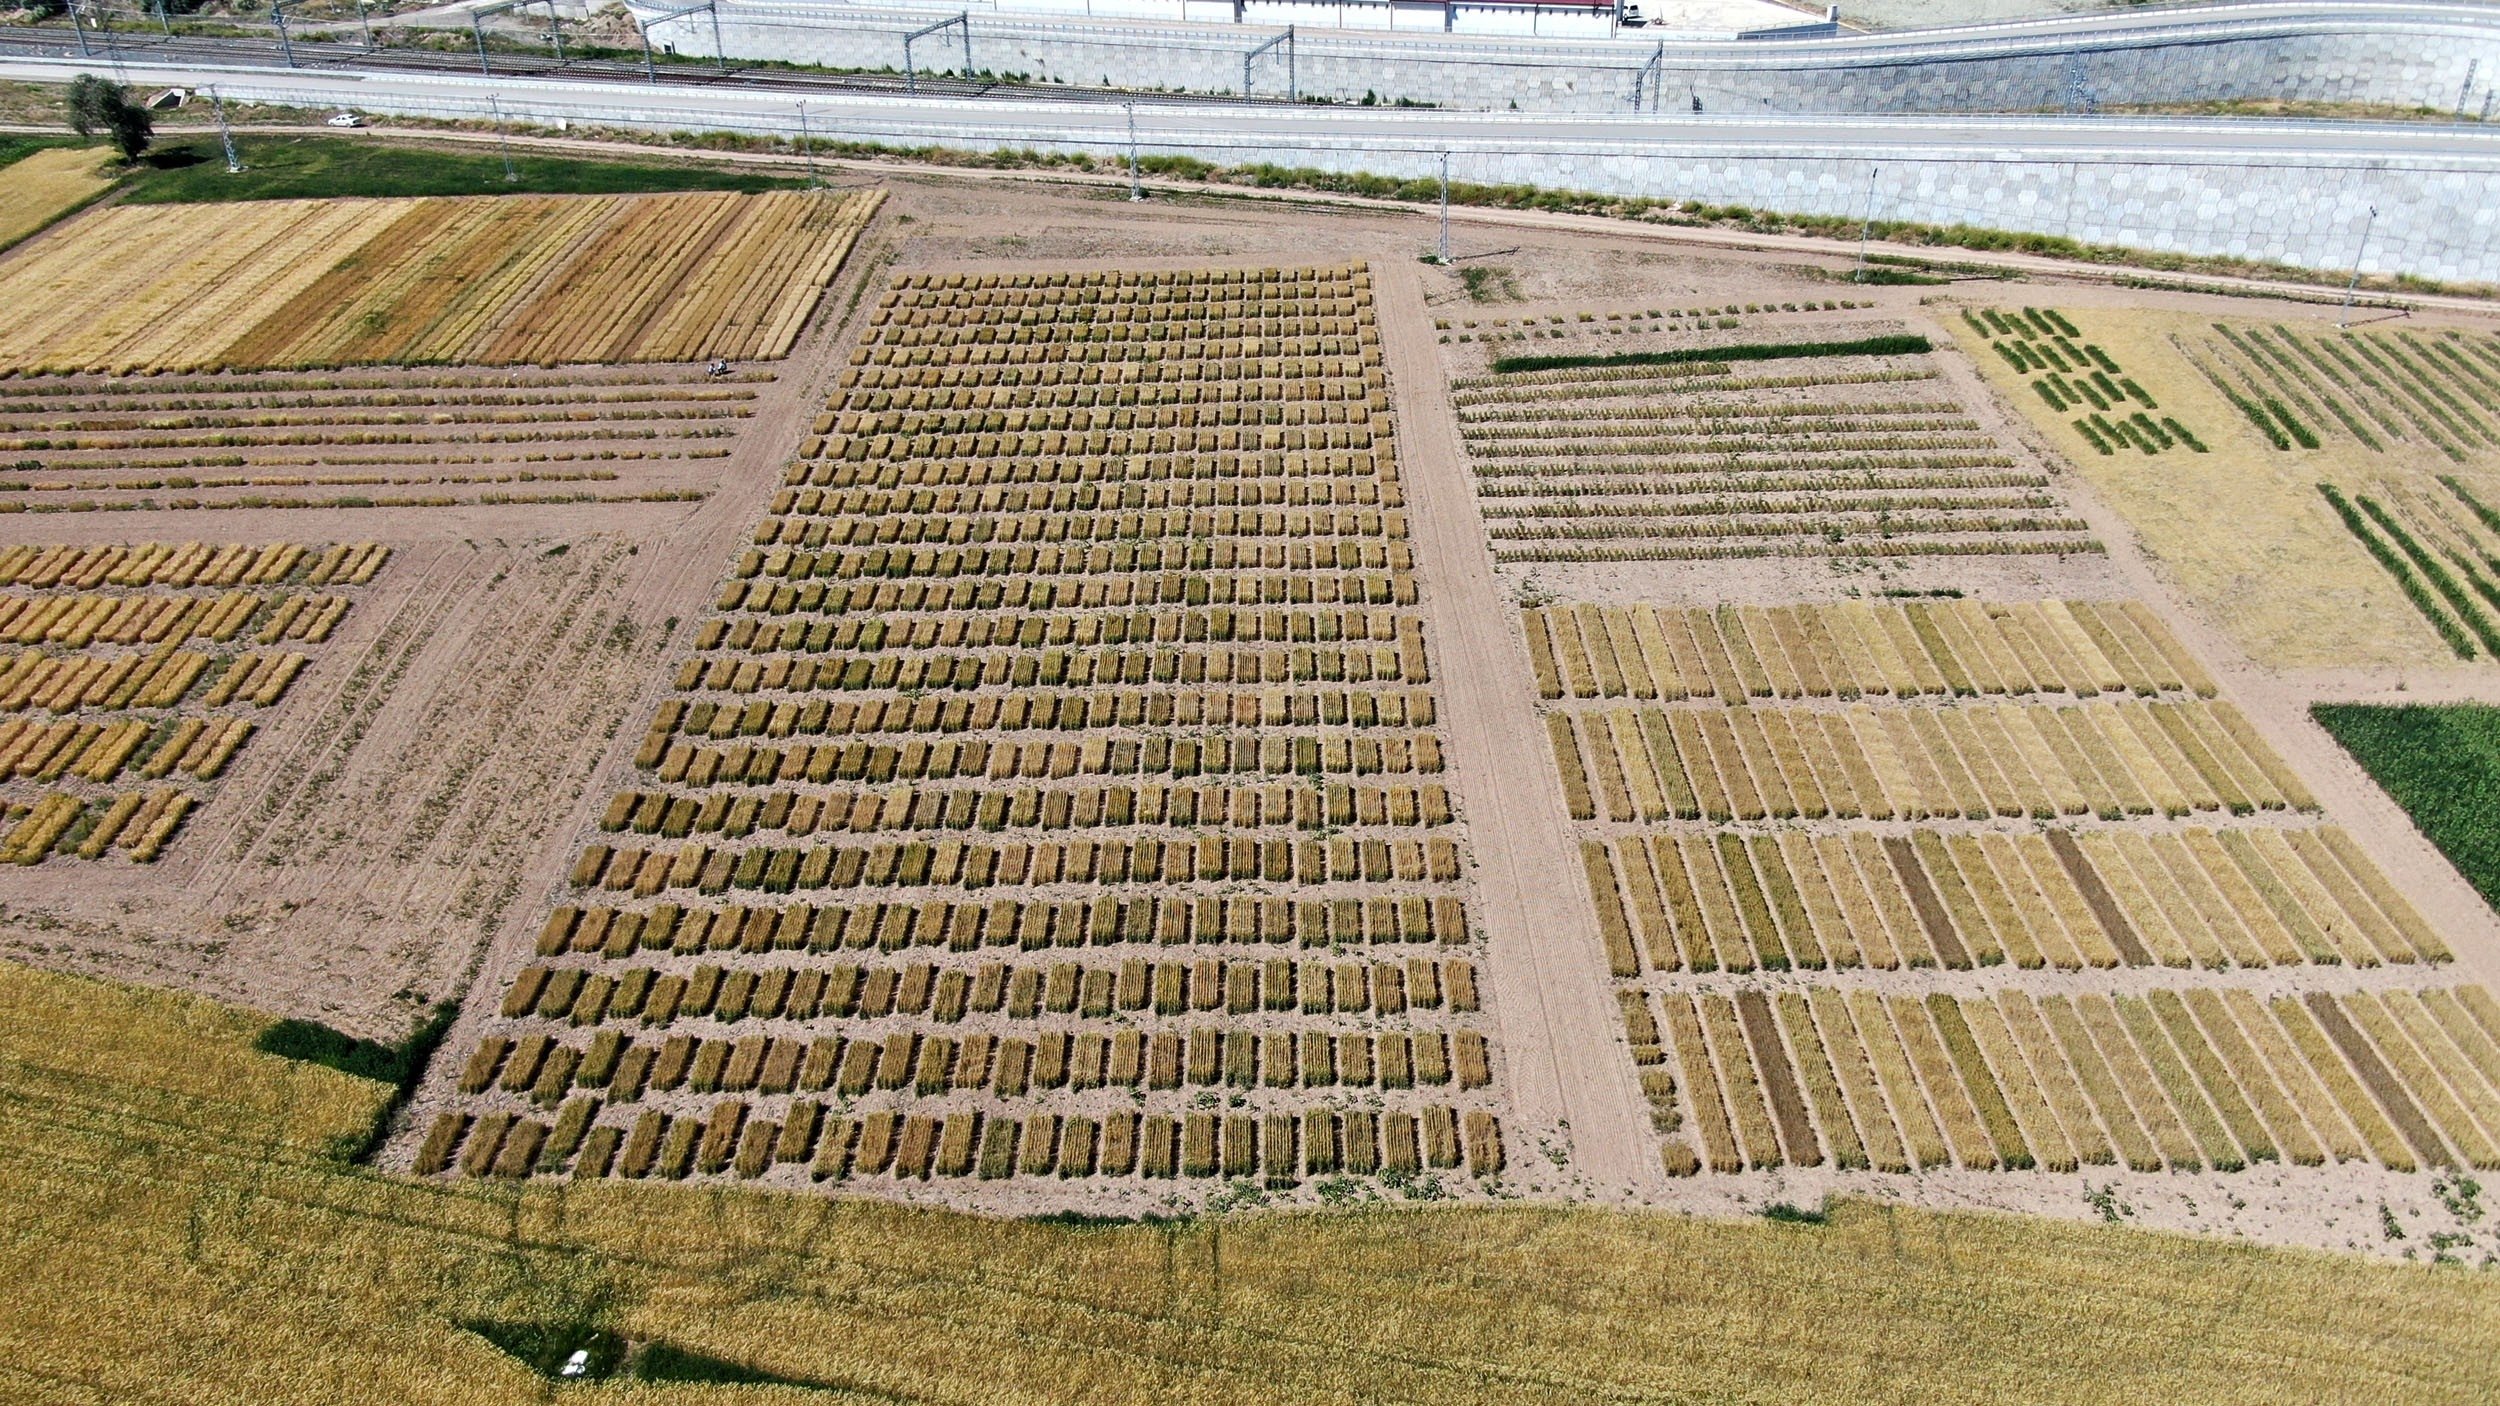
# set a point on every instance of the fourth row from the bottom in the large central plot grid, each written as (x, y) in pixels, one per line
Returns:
(1166, 919)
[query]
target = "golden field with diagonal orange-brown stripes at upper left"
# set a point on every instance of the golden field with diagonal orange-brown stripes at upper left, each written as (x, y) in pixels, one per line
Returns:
(499, 281)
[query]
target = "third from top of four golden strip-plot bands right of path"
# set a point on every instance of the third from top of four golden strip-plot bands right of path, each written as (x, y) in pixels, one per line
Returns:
(2261, 897)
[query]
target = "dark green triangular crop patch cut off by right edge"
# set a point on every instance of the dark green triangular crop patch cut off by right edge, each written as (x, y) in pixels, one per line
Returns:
(2444, 767)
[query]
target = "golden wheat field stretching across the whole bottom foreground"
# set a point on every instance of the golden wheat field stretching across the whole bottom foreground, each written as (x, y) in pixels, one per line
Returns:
(176, 1200)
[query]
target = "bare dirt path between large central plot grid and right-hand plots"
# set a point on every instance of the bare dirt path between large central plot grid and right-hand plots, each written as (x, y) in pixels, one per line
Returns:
(1574, 1085)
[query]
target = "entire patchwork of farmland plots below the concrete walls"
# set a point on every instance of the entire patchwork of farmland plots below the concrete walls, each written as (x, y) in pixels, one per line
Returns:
(854, 767)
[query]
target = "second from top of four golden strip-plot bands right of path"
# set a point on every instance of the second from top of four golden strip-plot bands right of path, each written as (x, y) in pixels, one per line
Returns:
(1881, 764)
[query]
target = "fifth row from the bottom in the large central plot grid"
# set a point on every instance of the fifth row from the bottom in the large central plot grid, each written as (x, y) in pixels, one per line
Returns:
(971, 864)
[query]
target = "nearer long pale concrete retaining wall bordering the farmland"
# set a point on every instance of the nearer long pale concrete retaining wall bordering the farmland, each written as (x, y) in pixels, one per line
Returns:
(2161, 186)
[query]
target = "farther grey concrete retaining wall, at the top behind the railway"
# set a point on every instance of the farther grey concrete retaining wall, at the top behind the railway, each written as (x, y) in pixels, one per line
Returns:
(2441, 61)
